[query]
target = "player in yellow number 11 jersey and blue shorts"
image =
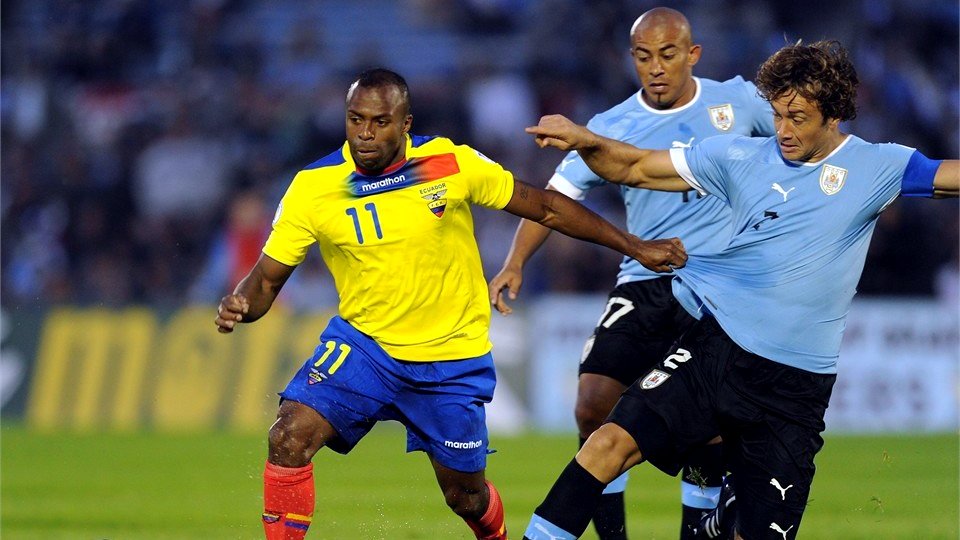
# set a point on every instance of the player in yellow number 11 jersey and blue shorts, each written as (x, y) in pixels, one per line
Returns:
(391, 214)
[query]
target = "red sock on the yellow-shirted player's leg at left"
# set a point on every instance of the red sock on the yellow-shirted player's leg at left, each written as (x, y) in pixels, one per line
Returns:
(288, 498)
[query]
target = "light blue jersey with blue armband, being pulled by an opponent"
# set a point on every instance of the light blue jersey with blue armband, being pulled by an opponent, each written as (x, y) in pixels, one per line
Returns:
(783, 286)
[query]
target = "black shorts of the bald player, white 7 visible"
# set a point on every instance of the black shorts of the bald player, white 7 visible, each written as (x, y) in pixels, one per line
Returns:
(640, 322)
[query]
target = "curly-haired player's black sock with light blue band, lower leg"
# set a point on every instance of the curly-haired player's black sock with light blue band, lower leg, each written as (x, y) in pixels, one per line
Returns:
(569, 505)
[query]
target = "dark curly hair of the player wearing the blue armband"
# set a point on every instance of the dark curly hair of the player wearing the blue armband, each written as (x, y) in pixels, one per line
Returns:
(820, 72)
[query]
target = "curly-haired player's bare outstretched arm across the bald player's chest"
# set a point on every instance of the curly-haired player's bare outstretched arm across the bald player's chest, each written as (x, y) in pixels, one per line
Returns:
(612, 160)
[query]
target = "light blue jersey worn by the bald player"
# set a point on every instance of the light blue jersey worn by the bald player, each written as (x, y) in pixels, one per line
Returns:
(702, 223)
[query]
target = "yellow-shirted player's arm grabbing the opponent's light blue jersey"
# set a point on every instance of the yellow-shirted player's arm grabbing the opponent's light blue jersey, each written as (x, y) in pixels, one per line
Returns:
(557, 211)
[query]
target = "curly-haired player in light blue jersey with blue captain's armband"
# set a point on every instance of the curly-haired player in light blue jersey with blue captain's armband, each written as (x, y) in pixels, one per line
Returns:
(759, 365)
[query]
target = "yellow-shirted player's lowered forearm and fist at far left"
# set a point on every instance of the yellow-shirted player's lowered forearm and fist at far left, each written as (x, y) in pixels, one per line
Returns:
(254, 294)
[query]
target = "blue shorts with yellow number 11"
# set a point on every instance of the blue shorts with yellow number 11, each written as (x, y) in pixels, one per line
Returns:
(353, 383)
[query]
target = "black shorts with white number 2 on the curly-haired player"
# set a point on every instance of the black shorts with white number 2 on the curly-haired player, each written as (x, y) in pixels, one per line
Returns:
(770, 416)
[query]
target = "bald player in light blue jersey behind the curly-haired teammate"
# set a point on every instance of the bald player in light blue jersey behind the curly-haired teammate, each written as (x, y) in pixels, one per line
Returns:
(642, 319)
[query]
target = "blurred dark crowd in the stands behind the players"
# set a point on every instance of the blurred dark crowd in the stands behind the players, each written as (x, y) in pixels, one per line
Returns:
(146, 143)
